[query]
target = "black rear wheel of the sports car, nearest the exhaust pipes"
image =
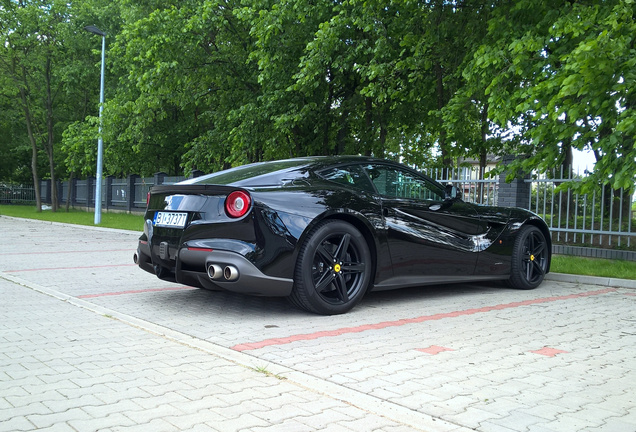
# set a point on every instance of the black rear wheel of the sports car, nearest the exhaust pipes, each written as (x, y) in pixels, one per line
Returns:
(333, 270)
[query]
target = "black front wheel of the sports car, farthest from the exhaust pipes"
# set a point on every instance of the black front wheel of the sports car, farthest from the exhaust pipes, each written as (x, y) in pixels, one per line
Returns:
(530, 258)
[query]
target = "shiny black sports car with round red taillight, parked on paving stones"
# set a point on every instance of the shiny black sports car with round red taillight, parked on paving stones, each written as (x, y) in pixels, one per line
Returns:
(325, 230)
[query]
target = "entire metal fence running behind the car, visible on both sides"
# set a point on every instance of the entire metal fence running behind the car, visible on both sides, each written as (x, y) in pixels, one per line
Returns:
(602, 218)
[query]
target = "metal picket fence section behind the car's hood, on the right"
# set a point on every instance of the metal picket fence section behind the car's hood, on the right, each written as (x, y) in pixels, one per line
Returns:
(604, 217)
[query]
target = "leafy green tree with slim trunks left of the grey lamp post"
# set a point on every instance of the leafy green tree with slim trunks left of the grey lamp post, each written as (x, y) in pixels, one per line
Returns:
(40, 44)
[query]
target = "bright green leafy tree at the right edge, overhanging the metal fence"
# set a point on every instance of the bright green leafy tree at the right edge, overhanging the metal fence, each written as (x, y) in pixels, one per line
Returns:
(561, 75)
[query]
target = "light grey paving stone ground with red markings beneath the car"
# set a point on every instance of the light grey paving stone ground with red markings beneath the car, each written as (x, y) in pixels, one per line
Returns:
(90, 342)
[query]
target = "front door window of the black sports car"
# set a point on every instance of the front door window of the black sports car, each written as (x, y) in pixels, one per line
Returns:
(396, 183)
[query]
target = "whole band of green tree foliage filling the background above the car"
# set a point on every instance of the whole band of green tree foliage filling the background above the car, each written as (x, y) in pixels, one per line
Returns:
(208, 84)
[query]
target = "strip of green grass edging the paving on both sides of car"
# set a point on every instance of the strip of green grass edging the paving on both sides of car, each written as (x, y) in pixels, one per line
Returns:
(134, 222)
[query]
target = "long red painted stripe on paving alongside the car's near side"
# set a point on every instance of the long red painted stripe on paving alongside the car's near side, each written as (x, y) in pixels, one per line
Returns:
(398, 323)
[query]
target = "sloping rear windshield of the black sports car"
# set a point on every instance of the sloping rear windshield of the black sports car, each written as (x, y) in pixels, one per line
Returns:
(262, 173)
